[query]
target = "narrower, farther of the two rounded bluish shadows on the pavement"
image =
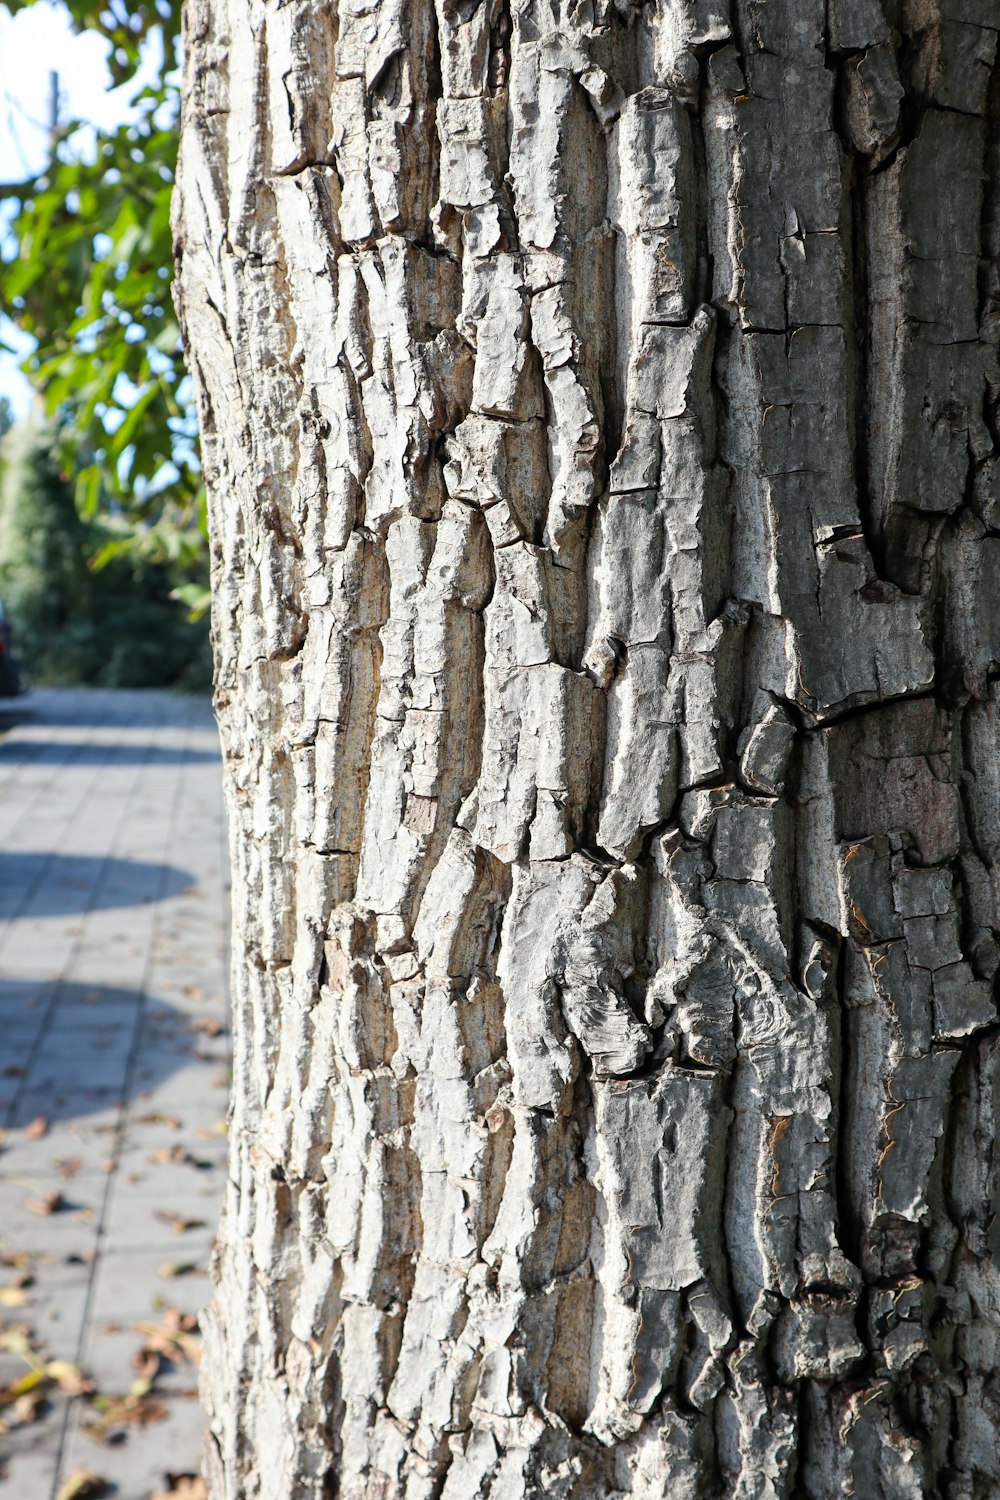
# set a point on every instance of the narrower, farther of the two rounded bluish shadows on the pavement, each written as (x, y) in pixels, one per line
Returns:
(43, 884)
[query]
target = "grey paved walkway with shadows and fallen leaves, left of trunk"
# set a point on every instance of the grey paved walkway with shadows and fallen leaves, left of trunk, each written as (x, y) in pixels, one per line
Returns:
(113, 1082)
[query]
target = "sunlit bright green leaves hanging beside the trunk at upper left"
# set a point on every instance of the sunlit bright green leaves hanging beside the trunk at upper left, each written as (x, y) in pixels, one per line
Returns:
(92, 287)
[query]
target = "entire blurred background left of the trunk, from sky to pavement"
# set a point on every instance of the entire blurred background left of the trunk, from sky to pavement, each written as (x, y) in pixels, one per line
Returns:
(115, 1057)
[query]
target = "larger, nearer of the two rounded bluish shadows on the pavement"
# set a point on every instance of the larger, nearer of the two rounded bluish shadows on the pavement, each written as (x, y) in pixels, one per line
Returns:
(79, 1049)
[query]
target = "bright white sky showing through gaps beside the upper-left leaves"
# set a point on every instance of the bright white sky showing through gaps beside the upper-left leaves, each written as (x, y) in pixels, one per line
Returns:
(32, 44)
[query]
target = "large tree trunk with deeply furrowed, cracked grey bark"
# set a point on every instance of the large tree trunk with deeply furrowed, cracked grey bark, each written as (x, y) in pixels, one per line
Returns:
(599, 415)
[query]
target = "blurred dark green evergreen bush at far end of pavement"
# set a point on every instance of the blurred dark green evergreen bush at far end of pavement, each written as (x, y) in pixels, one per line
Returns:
(116, 628)
